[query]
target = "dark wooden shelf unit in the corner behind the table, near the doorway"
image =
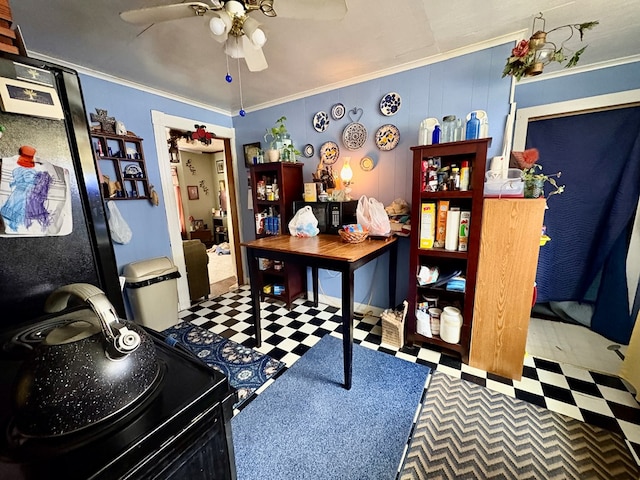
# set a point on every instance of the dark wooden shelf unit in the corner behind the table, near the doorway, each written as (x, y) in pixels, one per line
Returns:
(275, 186)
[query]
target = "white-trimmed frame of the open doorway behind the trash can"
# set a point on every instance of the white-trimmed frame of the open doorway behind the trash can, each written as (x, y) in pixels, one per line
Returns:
(162, 124)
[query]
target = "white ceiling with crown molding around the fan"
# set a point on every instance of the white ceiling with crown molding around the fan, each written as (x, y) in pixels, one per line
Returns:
(375, 38)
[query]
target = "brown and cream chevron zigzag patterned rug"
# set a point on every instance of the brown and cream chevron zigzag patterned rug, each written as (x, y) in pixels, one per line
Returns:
(466, 431)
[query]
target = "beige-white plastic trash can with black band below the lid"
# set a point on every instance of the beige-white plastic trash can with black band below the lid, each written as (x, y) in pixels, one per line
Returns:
(152, 290)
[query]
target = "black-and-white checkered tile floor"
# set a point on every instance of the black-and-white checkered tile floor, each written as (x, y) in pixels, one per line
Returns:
(595, 398)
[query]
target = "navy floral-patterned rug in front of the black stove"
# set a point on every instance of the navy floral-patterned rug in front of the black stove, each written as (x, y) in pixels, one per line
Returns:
(245, 368)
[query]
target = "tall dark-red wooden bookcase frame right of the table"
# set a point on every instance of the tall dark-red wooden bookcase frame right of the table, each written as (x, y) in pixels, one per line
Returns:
(474, 153)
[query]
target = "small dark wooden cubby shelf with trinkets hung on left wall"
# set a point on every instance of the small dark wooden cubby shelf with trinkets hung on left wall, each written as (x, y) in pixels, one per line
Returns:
(121, 165)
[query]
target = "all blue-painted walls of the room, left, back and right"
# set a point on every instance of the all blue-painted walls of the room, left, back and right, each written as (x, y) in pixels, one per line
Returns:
(455, 86)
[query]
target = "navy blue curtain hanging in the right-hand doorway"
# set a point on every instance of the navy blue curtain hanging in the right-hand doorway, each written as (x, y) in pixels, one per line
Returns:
(599, 156)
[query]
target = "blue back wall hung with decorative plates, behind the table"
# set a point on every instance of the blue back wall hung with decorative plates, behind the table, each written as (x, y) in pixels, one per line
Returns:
(456, 86)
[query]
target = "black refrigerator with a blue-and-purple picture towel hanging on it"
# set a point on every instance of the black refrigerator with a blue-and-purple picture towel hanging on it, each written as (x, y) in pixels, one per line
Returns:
(53, 230)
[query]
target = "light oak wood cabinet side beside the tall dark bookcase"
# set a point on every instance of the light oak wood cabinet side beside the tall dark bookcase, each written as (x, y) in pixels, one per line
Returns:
(509, 247)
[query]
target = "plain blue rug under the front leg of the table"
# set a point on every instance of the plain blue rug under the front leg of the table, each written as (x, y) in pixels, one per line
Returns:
(306, 425)
